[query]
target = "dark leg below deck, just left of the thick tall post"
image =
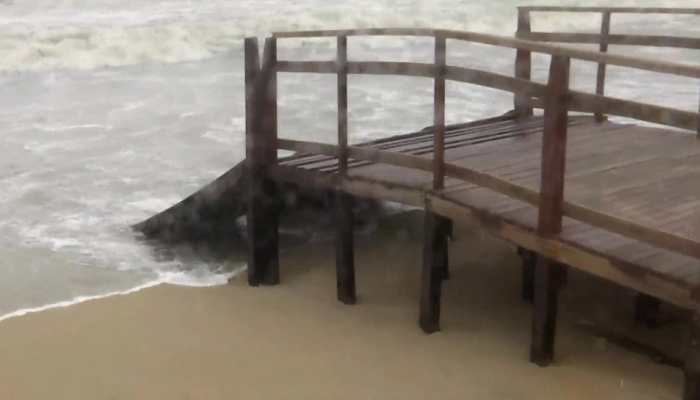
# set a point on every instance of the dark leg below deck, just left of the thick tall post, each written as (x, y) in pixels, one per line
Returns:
(432, 275)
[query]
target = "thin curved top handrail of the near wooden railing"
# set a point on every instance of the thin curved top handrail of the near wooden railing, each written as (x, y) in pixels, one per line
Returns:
(610, 59)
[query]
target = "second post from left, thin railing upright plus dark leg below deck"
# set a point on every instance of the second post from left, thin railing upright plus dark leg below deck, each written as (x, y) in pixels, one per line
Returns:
(345, 262)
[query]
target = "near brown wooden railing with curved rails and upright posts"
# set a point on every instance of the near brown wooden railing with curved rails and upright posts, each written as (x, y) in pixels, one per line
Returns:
(556, 97)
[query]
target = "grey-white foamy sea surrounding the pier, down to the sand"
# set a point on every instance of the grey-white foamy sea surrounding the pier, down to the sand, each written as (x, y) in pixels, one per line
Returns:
(112, 110)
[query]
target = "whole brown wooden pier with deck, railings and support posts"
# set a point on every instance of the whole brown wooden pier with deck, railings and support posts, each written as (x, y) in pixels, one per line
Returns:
(617, 200)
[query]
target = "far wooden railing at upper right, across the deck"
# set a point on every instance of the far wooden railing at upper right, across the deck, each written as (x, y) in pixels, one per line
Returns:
(523, 60)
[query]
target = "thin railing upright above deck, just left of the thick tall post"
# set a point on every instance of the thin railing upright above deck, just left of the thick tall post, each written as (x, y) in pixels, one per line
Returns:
(439, 114)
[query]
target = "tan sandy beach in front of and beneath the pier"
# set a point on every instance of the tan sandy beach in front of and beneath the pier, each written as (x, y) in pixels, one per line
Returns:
(294, 341)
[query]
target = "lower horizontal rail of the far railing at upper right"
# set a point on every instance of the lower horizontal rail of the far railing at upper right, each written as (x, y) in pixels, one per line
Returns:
(618, 39)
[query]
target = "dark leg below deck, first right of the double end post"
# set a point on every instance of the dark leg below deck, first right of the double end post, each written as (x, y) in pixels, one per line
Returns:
(344, 248)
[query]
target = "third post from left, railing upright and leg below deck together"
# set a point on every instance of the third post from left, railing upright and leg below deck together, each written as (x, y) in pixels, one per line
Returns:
(435, 233)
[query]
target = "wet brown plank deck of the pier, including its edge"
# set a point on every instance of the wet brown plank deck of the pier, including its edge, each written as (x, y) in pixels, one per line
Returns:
(643, 174)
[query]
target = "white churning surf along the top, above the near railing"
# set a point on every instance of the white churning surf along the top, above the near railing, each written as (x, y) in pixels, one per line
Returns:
(90, 34)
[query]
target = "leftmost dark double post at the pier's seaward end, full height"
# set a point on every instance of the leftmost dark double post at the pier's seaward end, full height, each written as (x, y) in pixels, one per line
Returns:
(261, 153)
